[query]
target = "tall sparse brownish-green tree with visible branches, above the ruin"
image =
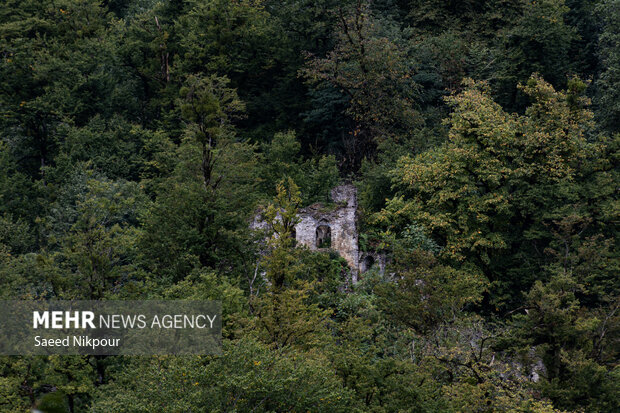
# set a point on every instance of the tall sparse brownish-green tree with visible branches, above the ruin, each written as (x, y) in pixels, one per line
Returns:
(374, 75)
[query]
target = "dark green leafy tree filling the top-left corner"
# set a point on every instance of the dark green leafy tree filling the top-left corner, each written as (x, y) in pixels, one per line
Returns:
(50, 75)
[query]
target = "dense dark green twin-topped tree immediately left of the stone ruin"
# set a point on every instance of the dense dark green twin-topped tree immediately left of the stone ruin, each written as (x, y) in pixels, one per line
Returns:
(190, 226)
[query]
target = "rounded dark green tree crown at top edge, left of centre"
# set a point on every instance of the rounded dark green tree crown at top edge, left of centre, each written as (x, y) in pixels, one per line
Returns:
(233, 39)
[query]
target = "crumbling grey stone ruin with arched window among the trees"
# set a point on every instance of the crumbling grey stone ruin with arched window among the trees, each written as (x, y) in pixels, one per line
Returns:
(334, 227)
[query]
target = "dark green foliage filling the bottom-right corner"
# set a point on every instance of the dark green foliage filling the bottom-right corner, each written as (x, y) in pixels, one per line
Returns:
(573, 343)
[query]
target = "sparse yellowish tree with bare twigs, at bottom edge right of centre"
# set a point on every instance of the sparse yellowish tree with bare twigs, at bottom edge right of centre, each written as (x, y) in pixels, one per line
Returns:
(473, 375)
